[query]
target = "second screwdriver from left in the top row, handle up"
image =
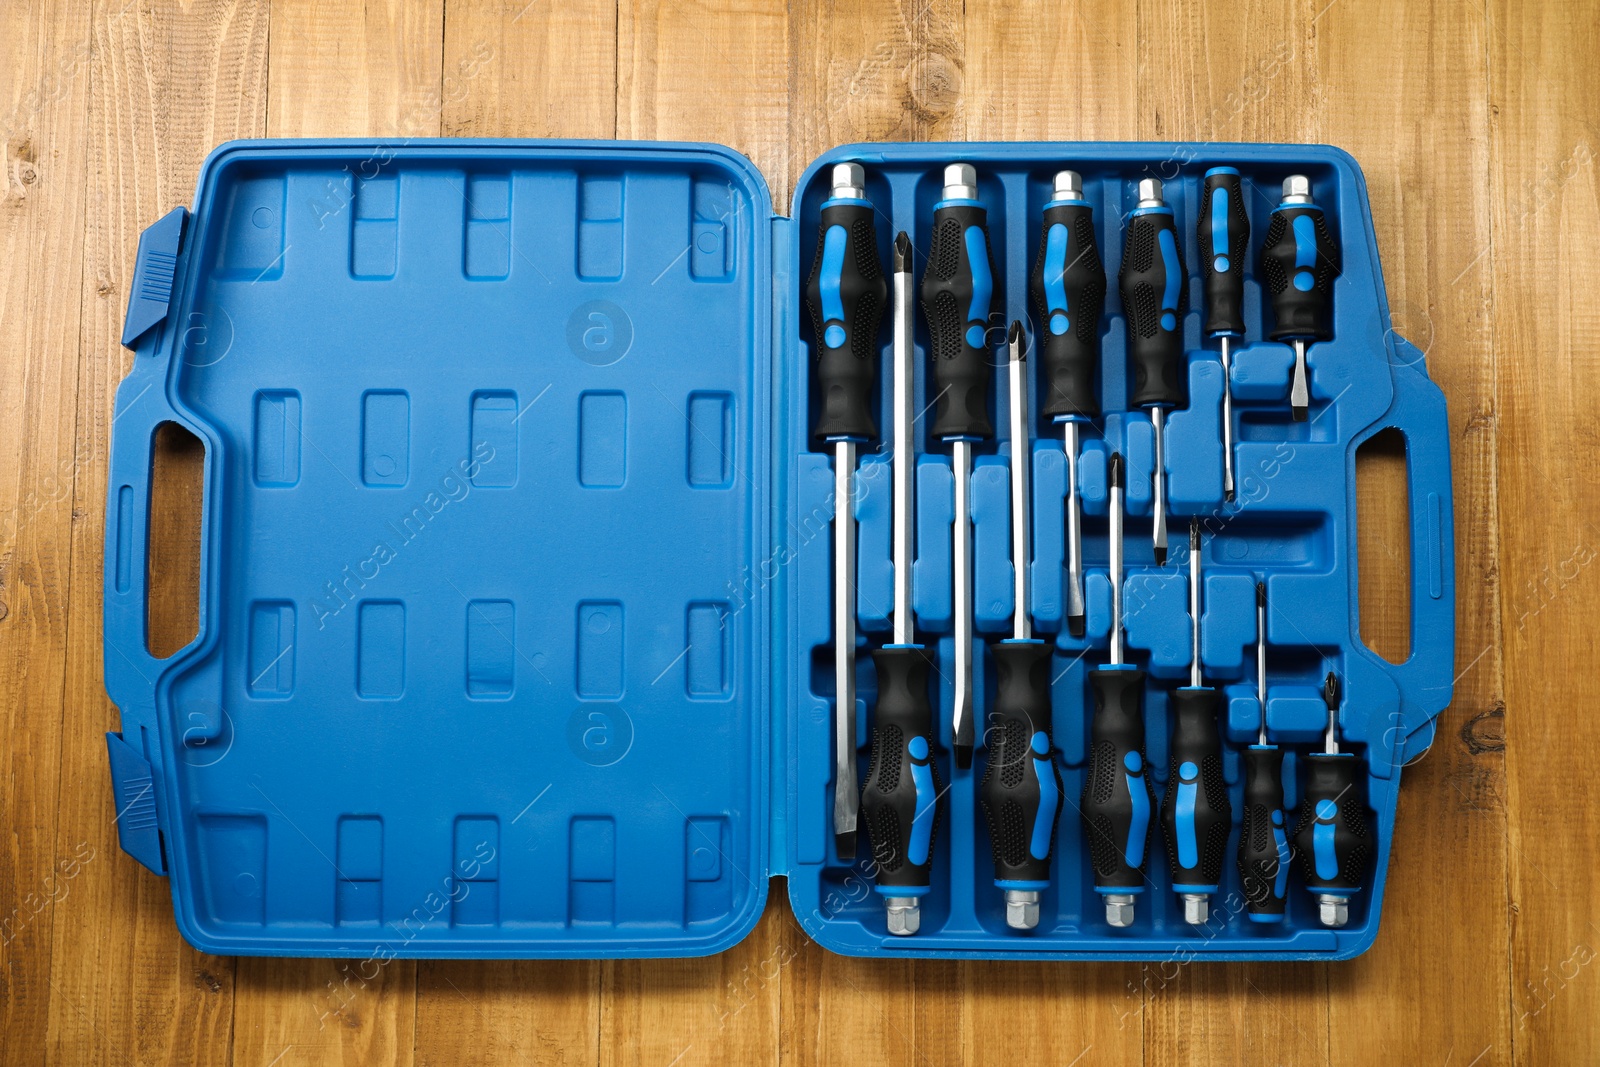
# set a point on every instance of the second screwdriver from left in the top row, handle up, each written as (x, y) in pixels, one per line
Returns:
(956, 295)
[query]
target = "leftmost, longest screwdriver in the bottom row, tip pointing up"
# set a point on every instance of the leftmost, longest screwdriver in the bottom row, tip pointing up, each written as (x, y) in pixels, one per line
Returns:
(900, 804)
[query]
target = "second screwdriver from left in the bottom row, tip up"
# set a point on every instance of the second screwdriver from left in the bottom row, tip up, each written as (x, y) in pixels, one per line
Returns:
(1022, 785)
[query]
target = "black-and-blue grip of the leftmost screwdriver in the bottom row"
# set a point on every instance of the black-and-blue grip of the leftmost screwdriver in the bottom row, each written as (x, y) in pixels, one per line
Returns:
(900, 802)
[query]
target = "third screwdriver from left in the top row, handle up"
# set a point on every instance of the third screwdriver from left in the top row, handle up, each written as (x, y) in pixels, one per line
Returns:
(1070, 297)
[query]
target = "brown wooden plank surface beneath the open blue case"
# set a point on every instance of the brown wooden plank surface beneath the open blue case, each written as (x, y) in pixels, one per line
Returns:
(1478, 135)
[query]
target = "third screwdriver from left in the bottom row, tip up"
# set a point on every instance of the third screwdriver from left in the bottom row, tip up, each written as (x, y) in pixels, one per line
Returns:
(1118, 799)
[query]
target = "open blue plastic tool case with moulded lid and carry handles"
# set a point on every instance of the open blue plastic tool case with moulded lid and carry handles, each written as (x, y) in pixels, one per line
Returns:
(514, 631)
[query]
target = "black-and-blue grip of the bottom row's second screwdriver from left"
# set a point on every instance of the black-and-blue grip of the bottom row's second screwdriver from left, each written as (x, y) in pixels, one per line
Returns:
(1022, 785)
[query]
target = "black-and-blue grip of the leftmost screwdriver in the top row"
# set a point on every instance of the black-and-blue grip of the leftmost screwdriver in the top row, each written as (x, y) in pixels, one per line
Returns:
(847, 295)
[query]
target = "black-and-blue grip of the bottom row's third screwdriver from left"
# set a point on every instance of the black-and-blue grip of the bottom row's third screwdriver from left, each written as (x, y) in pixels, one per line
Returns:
(1118, 801)
